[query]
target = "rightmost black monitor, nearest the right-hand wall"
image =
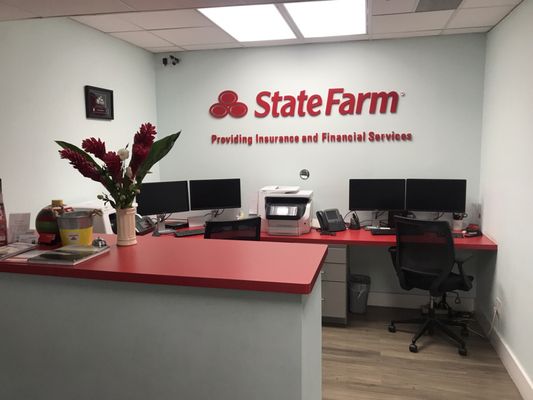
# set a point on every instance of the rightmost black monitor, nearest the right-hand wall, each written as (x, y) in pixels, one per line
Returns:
(440, 195)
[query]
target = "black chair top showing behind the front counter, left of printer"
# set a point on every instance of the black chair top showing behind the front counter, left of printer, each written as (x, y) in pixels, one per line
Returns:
(240, 229)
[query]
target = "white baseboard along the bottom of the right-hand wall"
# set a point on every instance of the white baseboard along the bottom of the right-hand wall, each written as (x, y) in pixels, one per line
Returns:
(513, 366)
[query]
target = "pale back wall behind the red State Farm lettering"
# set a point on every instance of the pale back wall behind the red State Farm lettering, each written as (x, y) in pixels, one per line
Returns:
(442, 109)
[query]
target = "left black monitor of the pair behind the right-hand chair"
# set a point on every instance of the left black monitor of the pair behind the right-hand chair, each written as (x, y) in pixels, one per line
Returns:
(377, 194)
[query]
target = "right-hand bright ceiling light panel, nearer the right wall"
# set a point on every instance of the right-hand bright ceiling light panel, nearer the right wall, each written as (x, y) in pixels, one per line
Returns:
(329, 18)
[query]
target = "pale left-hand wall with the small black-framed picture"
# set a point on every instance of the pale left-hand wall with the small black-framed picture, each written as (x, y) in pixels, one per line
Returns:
(45, 66)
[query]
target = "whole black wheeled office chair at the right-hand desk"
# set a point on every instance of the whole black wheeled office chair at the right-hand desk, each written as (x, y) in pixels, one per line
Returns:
(424, 257)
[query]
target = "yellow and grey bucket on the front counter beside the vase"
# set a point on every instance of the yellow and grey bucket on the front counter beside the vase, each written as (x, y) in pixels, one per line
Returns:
(76, 227)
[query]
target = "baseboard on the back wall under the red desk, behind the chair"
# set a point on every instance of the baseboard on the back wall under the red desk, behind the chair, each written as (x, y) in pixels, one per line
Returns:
(401, 300)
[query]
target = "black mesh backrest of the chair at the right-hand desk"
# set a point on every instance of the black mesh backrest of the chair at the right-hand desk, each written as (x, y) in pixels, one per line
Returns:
(425, 253)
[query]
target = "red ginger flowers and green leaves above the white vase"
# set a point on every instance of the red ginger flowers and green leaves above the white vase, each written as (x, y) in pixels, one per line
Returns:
(120, 180)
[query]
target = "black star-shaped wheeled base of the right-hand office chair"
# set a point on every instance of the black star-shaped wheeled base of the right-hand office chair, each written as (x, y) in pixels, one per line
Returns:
(428, 324)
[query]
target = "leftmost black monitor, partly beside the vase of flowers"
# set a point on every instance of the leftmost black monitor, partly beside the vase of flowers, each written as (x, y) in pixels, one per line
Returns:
(163, 198)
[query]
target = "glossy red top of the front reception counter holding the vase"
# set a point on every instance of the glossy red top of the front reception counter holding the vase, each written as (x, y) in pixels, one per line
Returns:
(242, 265)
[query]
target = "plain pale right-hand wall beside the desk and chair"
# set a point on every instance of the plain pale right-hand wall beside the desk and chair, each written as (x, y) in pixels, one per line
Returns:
(506, 177)
